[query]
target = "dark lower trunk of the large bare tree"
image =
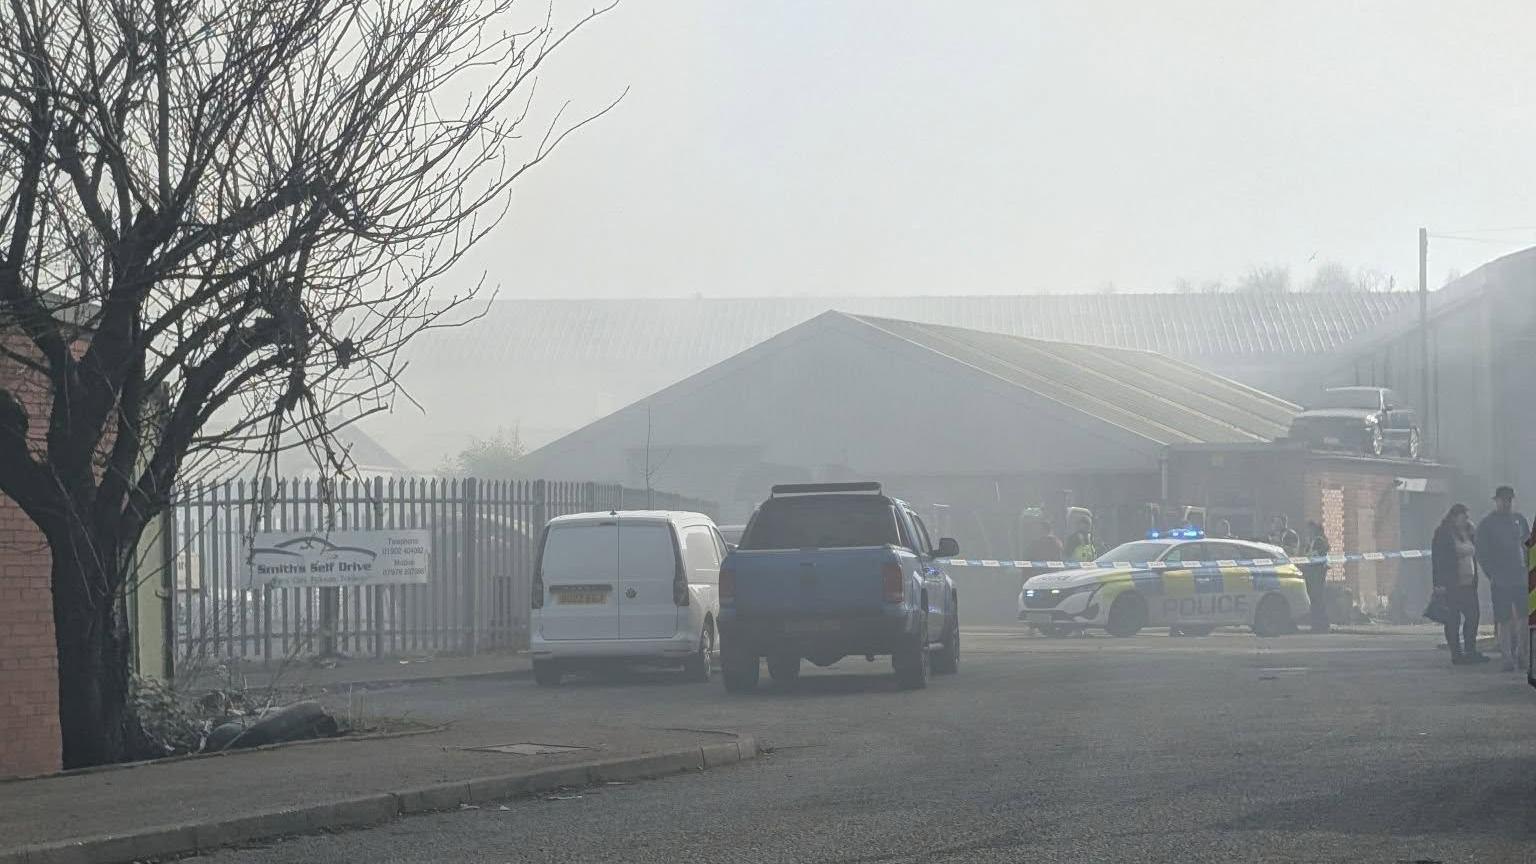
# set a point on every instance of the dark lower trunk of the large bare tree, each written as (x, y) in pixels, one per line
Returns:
(93, 660)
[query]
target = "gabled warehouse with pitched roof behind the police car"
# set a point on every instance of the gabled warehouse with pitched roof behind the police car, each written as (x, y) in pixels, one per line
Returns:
(975, 427)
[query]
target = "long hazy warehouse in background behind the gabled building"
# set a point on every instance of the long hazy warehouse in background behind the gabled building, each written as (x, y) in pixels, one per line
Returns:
(548, 368)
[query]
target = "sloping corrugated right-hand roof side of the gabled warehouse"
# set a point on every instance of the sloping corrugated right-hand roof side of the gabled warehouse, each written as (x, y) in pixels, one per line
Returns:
(1148, 394)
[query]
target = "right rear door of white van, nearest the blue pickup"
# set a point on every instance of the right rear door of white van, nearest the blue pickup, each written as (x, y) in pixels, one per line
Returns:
(649, 563)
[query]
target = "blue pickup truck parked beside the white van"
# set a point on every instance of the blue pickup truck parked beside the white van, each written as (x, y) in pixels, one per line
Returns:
(826, 571)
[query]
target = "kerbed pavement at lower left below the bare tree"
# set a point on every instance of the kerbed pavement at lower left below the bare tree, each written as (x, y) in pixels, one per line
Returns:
(182, 806)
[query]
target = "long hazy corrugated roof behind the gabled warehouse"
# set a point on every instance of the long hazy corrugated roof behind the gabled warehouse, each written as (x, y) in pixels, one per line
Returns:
(700, 333)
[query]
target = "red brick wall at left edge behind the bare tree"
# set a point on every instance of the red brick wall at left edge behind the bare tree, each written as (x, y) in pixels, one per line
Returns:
(28, 660)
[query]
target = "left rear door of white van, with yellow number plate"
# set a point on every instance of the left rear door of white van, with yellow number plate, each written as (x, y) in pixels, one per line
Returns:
(580, 568)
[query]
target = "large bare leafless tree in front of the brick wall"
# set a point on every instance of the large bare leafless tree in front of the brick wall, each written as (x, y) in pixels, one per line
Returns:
(219, 224)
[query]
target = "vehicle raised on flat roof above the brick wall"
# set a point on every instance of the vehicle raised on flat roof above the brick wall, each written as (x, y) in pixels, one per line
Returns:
(1366, 420)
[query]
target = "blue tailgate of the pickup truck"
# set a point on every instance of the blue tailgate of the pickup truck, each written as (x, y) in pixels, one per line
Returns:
(810, 582)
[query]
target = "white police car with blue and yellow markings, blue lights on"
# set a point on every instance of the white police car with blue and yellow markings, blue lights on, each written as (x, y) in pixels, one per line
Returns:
(1177, 580)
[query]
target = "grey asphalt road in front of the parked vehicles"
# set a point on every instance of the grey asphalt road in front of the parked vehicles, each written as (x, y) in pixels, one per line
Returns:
(1342, 748)
